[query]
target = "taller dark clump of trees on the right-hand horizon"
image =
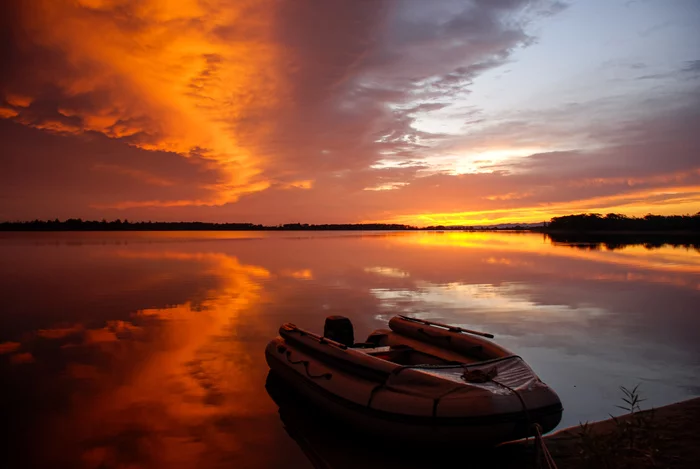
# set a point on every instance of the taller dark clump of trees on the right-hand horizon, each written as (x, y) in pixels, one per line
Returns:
(588, 222)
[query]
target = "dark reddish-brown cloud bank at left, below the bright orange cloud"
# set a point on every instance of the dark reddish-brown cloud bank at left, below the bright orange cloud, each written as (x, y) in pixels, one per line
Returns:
(70, 174)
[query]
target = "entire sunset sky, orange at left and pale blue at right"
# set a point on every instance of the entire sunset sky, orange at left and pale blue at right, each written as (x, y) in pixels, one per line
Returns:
(345, 111)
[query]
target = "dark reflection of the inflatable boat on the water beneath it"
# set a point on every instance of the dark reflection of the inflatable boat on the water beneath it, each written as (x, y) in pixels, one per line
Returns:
(330, 445)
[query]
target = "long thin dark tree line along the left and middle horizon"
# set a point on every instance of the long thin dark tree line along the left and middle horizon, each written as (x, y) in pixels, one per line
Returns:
(77, 224)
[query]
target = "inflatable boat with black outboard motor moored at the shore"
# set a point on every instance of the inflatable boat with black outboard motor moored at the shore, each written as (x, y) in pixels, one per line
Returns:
(417, 381)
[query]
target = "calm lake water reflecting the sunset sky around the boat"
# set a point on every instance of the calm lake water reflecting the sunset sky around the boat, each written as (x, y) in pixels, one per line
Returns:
(146, 349)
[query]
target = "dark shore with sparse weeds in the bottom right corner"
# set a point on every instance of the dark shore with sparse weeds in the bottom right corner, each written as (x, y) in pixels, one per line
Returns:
(676, 429)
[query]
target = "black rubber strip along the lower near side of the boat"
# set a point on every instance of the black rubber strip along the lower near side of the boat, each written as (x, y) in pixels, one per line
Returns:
(511, 417)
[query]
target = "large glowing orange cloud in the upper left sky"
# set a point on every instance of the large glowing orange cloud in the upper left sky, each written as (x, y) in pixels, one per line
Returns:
(184, 77)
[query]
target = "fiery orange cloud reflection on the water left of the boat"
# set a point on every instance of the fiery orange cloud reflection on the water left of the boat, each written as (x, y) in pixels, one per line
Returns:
(166, 386)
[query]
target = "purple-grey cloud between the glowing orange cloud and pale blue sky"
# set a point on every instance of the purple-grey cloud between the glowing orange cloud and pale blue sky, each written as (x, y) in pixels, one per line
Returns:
(397, 60)
